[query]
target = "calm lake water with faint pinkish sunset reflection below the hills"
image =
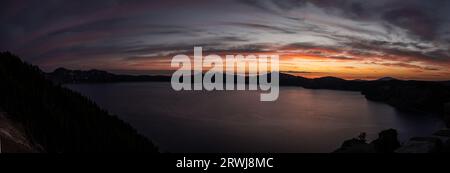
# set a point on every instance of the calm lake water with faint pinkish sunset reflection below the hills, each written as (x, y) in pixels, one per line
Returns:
(301, 120)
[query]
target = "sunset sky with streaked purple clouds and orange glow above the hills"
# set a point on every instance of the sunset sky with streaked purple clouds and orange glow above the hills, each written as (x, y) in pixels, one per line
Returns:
(351, 39)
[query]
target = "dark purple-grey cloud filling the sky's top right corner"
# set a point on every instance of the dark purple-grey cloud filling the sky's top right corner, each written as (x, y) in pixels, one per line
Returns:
(419, 17)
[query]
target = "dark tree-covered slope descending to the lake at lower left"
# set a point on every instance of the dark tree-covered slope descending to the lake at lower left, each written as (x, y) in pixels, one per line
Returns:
(59, 119)
